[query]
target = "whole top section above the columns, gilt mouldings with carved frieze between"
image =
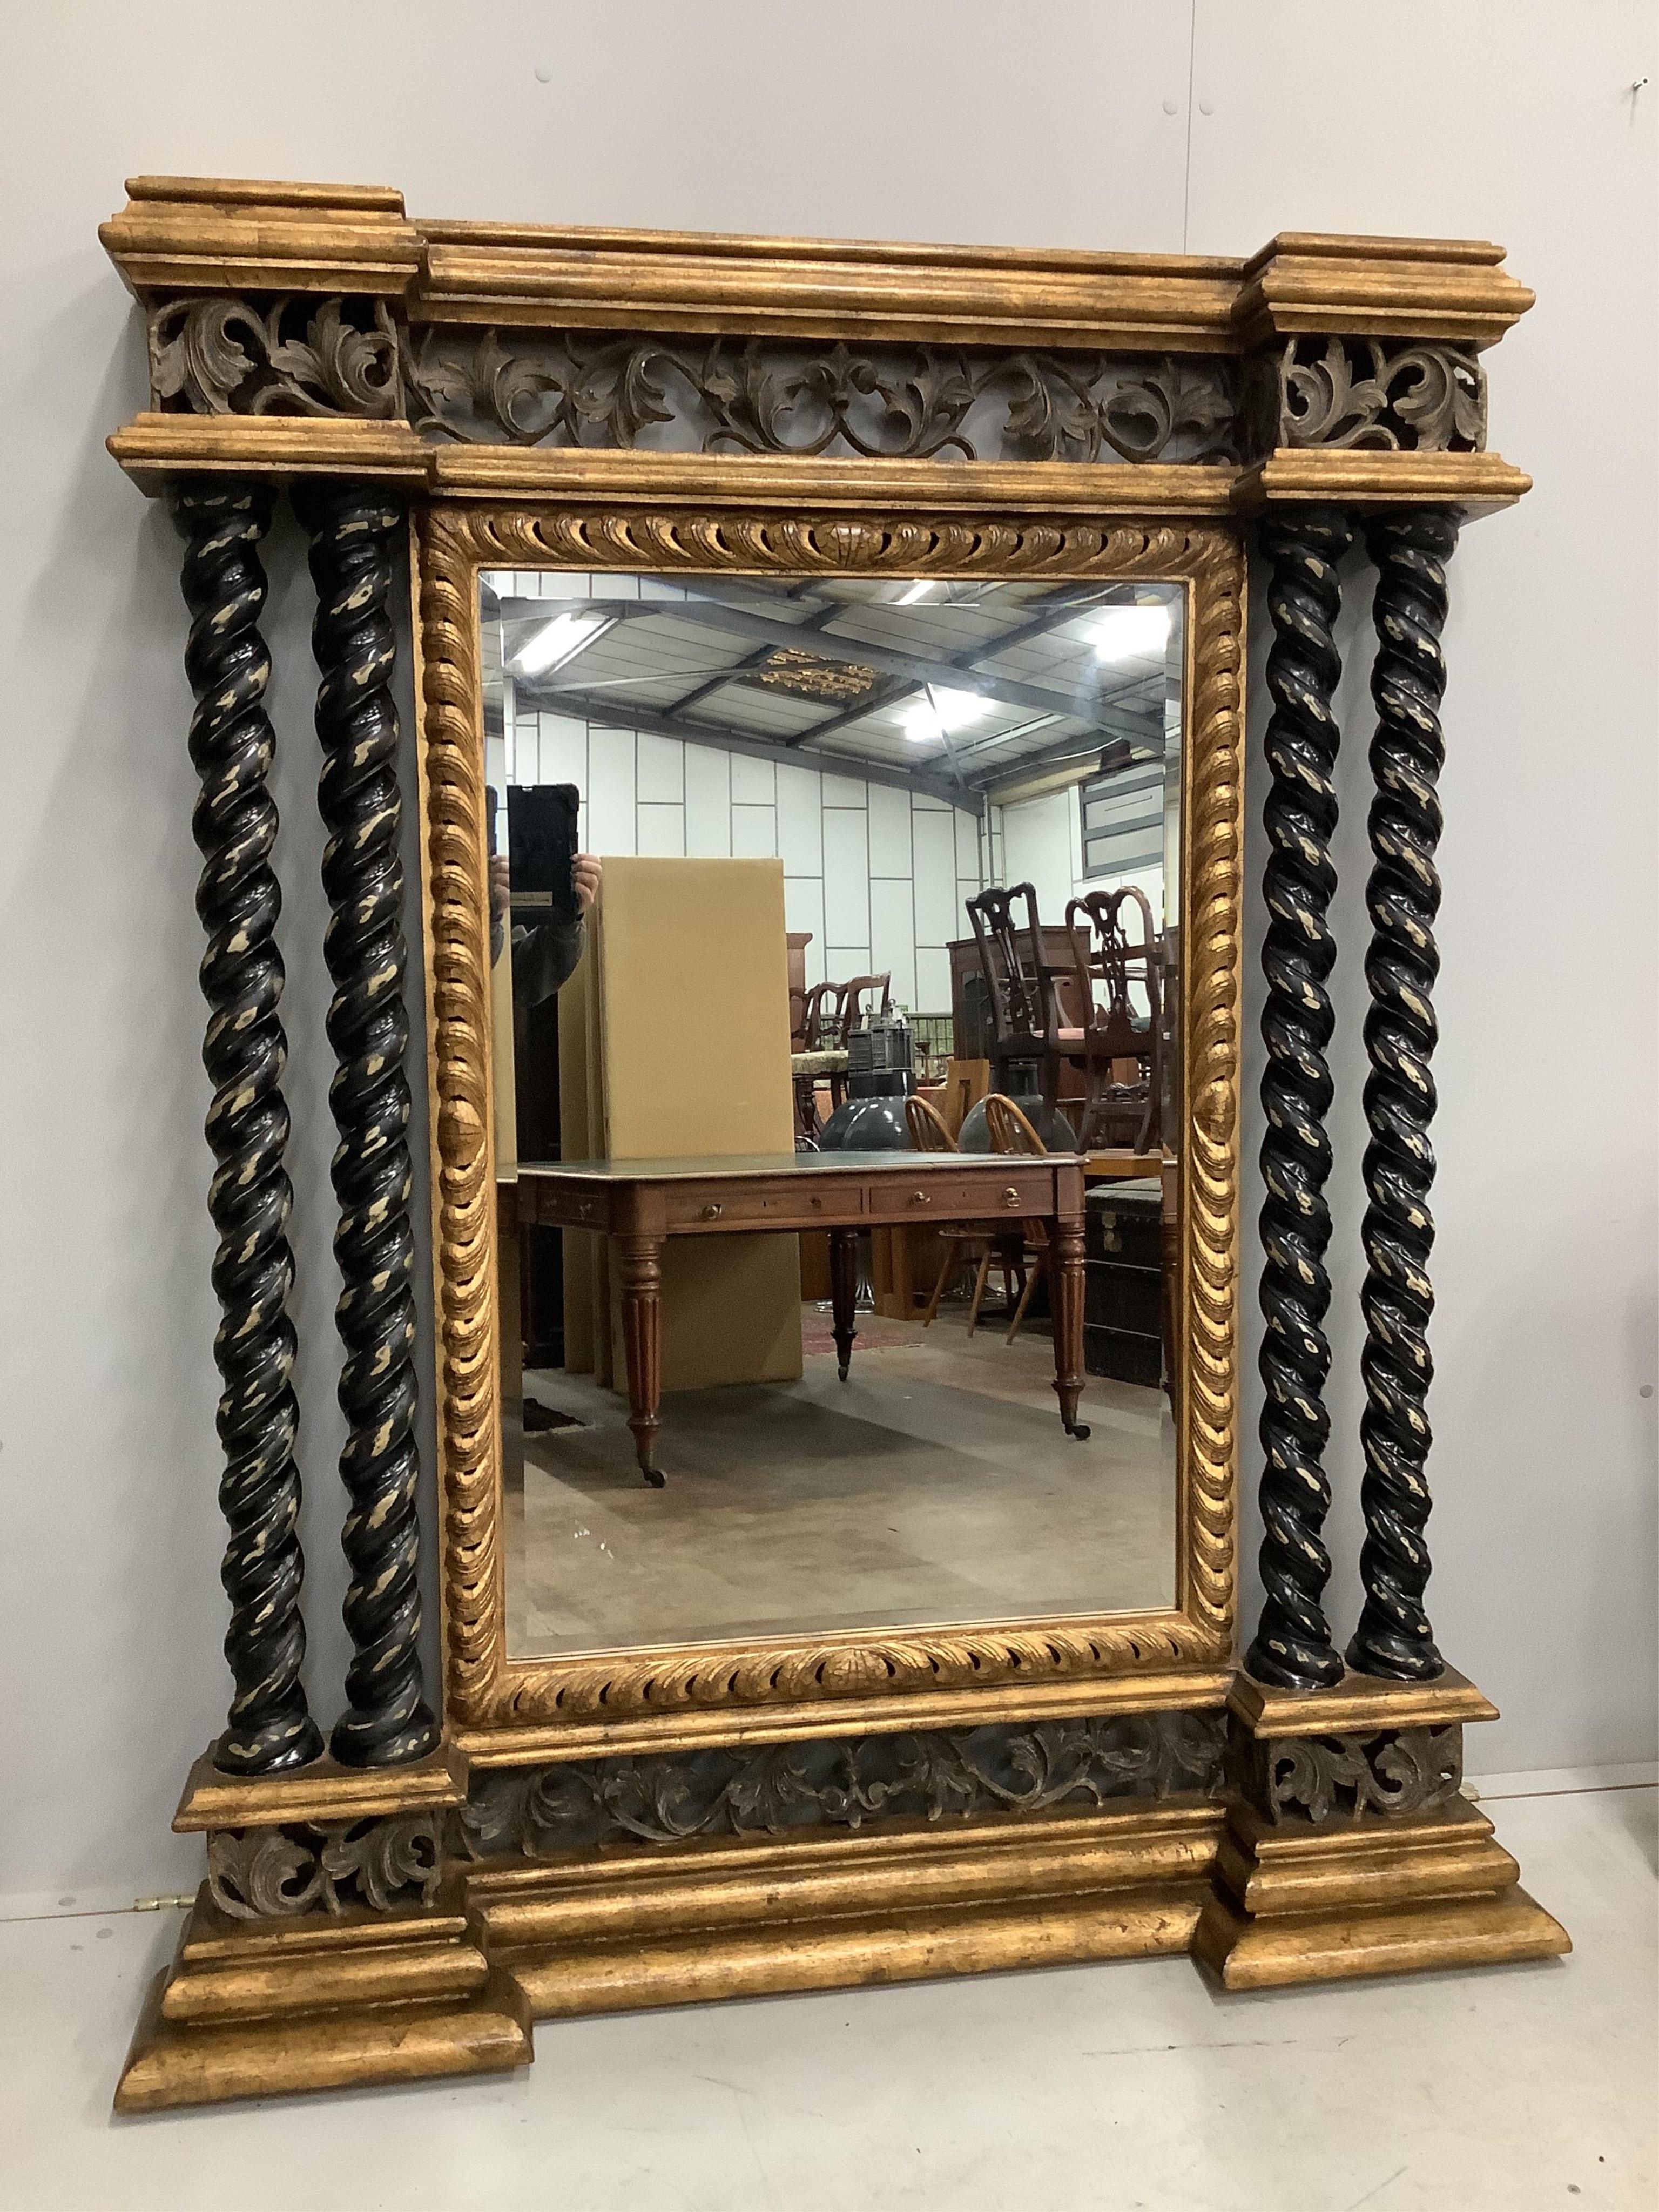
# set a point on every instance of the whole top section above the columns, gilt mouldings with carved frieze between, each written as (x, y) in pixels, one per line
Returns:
(304, 328)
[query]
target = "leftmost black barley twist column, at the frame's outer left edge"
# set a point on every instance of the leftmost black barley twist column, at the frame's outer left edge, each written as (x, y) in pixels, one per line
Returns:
(244, 1054)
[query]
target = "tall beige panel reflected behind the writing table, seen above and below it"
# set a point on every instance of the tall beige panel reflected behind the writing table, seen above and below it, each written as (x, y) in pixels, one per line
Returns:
(693, 994)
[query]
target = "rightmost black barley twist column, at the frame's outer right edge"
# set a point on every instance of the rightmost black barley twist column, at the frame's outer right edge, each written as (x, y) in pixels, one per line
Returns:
(1408, 682)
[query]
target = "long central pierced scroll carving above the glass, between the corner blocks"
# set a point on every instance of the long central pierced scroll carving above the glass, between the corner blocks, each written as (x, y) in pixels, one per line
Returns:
(766, 397)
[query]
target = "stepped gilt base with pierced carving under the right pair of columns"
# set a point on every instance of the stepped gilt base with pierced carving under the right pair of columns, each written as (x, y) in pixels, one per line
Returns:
(1350, 1848)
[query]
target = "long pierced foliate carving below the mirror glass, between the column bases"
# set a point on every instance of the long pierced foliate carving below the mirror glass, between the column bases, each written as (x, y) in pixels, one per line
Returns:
(539, 1813)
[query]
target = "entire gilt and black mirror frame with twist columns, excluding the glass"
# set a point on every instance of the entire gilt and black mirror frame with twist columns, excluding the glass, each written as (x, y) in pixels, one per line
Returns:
(543, 1837)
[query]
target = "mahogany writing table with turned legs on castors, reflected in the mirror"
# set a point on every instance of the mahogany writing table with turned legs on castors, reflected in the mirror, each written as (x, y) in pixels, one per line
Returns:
(643, 1202)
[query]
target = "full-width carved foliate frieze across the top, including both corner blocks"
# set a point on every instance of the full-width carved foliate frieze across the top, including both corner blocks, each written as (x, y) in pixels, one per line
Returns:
(656, 393)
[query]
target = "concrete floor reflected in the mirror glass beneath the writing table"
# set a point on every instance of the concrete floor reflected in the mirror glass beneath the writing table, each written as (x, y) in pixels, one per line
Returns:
(935, 1485)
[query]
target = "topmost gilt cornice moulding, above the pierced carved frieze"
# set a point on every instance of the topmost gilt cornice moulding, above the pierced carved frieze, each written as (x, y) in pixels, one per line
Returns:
(196, 233)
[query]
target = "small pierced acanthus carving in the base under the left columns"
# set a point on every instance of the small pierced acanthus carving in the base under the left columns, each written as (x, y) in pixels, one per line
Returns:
(278, 1872)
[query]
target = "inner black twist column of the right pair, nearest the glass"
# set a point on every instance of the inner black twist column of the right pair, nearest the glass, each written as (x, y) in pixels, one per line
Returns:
(1293, 1645)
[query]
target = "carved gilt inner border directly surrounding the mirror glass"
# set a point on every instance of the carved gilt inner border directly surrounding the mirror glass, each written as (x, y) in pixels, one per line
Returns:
(826, 519)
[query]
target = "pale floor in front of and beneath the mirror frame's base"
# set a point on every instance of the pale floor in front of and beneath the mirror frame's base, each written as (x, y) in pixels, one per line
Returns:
(1087, 2087)
